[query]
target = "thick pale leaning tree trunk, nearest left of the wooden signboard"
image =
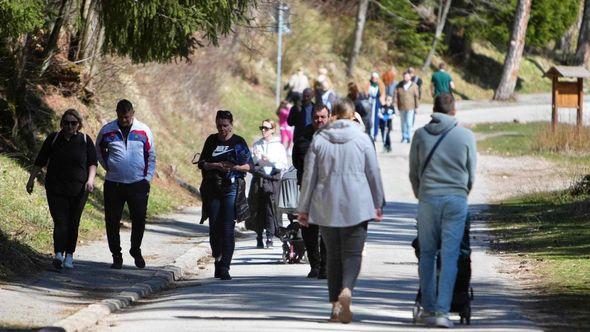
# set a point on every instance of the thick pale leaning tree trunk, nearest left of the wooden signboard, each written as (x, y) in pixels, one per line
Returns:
(514, 56)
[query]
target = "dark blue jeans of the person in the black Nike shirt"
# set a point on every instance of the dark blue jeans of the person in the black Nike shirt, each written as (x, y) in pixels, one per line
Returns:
(222, 221)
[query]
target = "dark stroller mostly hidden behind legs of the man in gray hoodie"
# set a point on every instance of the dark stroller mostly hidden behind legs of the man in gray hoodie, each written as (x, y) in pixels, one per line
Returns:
(463, 292)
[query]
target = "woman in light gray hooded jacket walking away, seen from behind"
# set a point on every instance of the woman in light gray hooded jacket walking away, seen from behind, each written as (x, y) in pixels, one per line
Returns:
(341, 192)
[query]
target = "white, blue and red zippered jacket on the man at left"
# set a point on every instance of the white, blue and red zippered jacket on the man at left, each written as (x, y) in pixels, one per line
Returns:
(126, 161)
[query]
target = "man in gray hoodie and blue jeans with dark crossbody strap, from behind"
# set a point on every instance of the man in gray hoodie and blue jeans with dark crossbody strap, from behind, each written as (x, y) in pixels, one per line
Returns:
(443, 158)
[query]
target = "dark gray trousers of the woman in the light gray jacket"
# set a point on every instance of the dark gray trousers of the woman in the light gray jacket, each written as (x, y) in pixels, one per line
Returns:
(344, 248)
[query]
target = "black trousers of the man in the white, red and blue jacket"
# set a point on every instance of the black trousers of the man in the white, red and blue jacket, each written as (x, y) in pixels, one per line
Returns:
(115, 196)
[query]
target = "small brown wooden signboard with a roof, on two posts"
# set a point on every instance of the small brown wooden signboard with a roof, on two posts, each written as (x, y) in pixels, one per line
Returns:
(568, 94)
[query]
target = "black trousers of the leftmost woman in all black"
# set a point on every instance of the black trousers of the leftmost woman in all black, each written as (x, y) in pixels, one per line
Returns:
(66, 212)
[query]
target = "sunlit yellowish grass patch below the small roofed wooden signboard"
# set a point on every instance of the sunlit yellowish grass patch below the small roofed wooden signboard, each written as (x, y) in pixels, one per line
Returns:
(526, 139)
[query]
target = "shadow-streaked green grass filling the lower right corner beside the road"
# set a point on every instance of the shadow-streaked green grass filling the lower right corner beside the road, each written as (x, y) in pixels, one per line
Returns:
(550, 233)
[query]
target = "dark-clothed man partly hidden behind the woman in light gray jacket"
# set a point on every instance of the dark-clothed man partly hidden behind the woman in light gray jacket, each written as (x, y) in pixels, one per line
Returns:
(316, 249)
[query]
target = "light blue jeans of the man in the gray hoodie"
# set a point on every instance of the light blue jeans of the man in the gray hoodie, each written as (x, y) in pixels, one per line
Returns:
(441, 223)
